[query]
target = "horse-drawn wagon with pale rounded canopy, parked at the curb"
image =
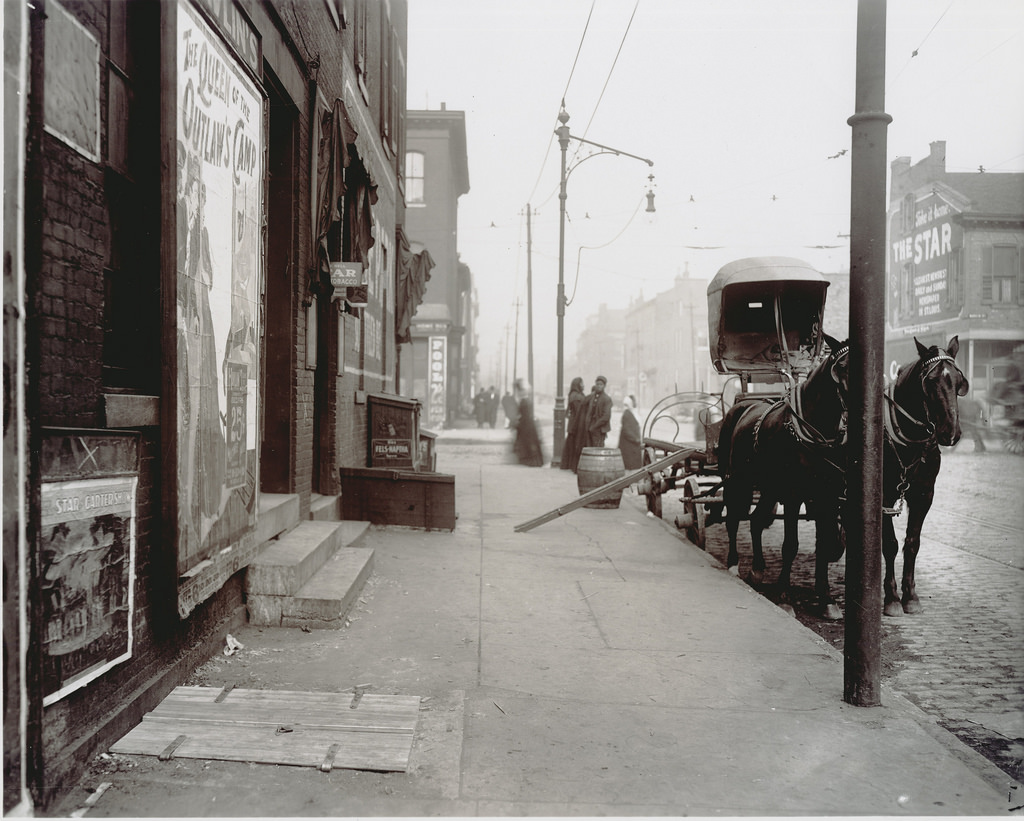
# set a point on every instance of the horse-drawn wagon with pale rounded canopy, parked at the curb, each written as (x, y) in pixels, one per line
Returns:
(765, 335)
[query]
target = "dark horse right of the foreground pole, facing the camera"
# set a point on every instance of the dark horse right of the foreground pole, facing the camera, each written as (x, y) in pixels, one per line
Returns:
(921, 414)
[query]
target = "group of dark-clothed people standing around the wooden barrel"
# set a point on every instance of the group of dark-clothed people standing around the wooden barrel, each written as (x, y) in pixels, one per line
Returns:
(589, 420)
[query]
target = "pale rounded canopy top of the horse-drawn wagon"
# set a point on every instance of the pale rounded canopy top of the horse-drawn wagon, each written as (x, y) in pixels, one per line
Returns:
(764, 317)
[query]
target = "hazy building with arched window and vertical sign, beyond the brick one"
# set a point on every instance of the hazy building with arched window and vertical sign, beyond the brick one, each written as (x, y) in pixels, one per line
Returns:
(439, 364)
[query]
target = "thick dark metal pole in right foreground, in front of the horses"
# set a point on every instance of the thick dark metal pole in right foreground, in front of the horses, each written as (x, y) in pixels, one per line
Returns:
(868, 303)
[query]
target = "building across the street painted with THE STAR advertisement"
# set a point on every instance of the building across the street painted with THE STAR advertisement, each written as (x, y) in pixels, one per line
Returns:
(956, 265)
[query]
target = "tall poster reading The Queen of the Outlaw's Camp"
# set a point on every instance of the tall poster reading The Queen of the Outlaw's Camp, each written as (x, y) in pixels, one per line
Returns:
(220, 143)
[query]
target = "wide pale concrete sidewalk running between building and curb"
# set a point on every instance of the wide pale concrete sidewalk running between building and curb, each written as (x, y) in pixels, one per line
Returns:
(596, 666)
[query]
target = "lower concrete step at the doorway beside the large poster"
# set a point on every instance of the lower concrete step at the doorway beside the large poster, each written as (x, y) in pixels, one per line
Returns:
(326, 599)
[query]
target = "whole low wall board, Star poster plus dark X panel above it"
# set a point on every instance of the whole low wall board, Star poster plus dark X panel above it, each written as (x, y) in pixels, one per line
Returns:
(88, 546)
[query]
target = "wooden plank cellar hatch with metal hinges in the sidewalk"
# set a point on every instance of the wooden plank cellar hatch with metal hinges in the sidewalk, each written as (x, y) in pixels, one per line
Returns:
(281, 727)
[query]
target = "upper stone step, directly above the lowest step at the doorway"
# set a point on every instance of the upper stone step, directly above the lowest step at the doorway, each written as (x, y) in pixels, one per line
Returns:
(287, 564)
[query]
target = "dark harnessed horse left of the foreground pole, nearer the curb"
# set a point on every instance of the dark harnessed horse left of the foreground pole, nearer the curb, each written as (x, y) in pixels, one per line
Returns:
(792, 451)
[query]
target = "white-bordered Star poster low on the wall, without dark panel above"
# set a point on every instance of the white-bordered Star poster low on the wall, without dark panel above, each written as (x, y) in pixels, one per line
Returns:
(89, 571)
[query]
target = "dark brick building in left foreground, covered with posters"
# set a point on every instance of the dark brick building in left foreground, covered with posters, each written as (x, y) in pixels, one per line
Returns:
(205, 276)
